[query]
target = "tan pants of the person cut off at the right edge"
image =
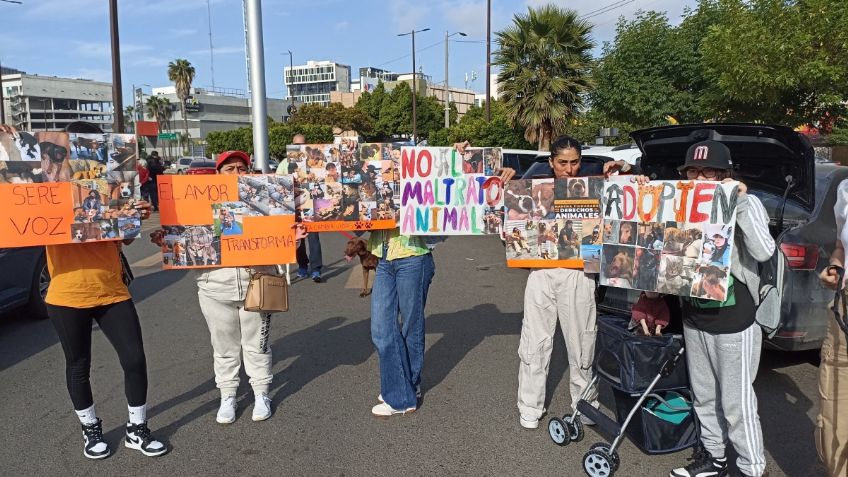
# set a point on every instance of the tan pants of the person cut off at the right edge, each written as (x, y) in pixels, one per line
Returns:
(832, 422)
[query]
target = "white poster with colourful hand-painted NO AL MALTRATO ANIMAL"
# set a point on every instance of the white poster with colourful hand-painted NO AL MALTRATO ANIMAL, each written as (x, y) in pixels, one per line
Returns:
(444, 192)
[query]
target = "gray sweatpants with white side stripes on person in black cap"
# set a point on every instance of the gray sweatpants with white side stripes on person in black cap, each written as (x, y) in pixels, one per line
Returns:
(722, 369)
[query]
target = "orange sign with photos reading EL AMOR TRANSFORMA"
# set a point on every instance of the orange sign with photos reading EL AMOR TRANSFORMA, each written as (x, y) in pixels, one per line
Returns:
(226, 220)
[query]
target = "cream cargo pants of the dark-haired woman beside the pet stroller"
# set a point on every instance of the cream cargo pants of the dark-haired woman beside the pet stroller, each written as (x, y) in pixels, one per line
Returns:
(551, 294)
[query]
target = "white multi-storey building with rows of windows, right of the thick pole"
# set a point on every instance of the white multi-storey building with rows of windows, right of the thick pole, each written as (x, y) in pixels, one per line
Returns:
(314, 81)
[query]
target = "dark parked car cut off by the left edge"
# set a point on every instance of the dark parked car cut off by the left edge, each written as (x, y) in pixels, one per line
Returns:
(26, 281)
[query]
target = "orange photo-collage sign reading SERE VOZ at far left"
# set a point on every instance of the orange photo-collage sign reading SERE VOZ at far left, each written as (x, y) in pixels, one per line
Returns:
(63, 190)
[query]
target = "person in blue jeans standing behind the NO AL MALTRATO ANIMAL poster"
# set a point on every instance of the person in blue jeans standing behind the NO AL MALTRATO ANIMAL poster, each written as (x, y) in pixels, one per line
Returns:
(401, 283)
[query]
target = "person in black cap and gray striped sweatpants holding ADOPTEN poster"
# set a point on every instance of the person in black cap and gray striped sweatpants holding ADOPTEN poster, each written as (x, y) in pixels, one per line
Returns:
(723, 340)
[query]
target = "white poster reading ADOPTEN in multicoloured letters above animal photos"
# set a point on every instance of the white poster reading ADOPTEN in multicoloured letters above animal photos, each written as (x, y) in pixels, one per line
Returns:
(672, 237)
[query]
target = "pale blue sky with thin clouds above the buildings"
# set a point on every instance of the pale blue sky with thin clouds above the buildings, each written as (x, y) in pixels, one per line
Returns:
(71, 37)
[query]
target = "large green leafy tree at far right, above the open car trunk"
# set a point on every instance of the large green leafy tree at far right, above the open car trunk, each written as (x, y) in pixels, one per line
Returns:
(778, 61)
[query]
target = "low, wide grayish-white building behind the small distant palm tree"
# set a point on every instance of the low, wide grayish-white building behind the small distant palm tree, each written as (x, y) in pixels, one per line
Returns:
(213, 110)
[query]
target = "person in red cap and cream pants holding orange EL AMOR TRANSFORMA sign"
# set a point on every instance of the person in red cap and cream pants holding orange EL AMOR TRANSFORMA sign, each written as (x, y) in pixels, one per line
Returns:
(236, 332)
